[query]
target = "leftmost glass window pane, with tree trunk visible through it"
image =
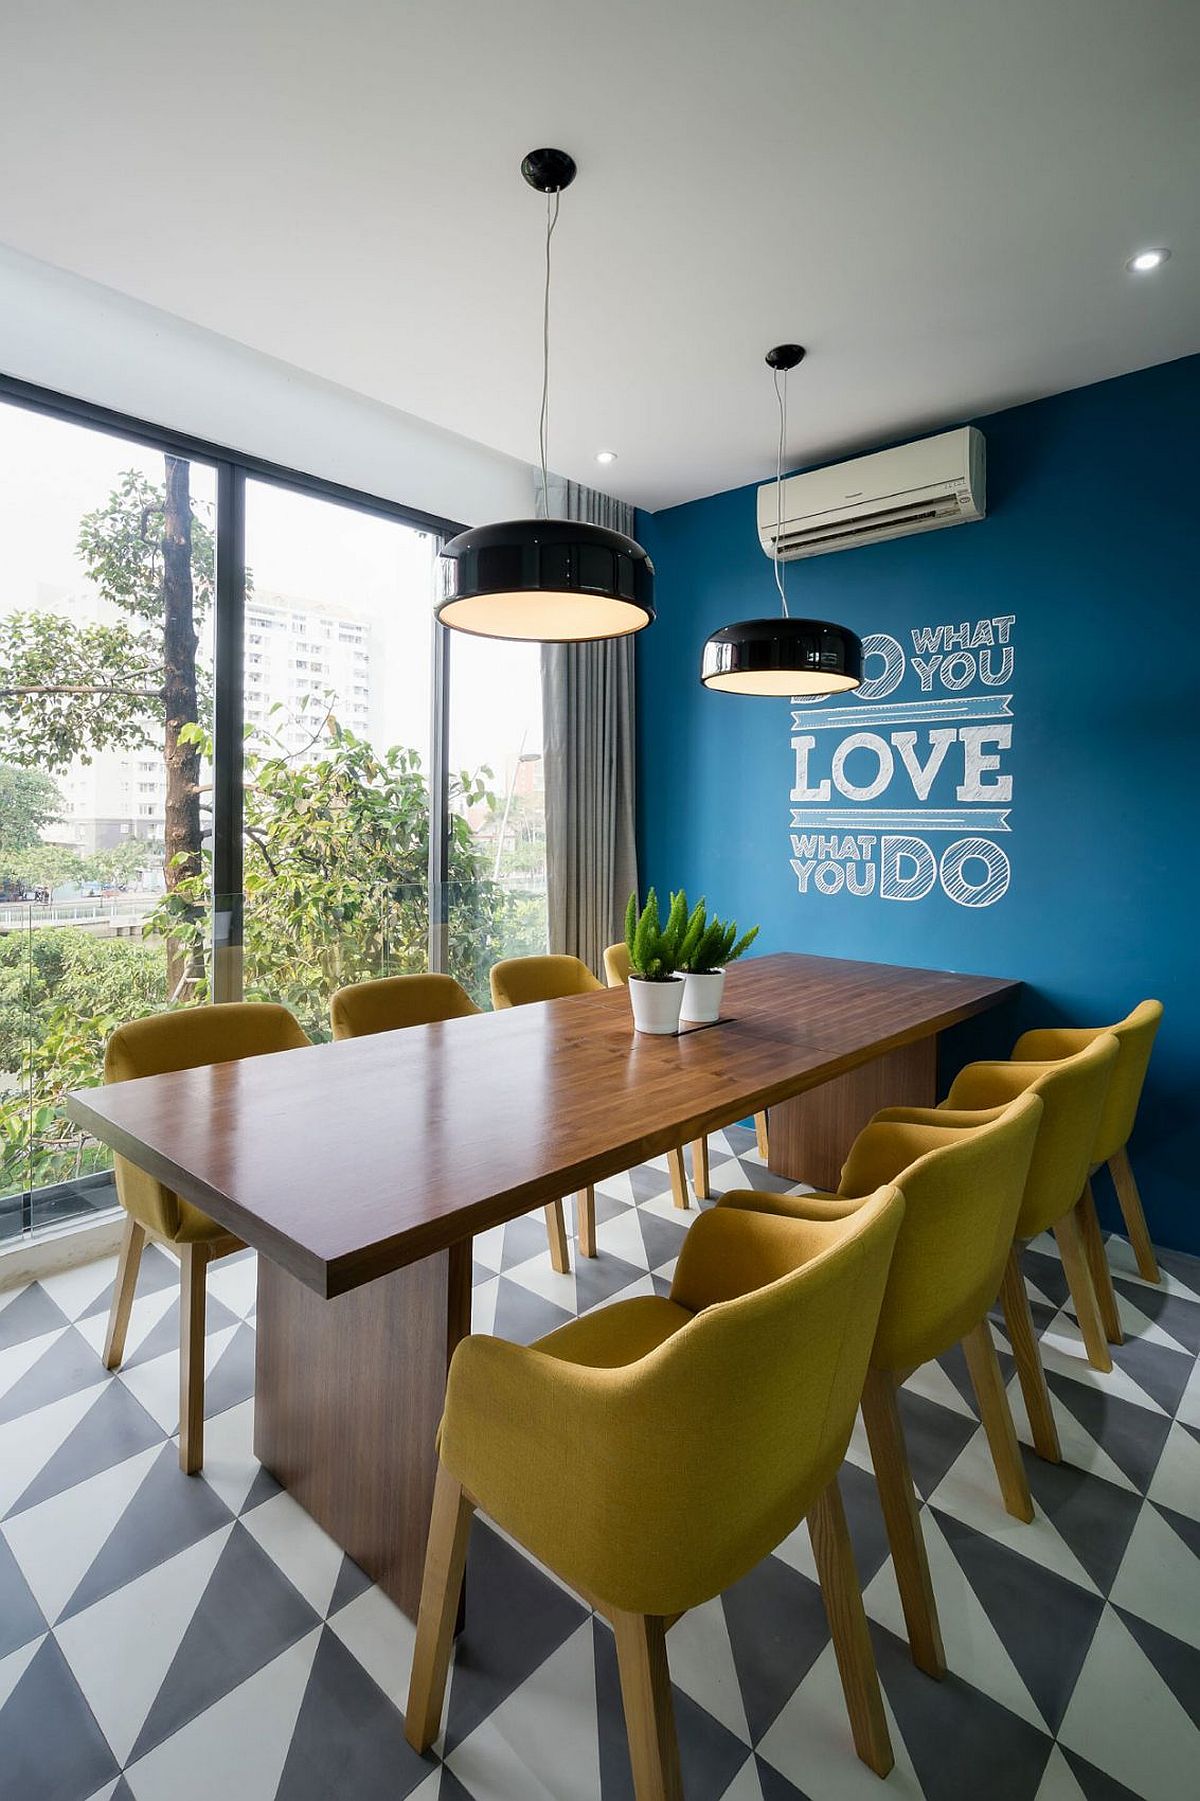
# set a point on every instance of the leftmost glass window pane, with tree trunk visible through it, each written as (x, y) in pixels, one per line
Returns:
(107, 586)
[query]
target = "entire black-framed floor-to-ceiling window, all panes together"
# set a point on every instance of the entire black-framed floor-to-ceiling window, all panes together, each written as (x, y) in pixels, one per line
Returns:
(235, 759)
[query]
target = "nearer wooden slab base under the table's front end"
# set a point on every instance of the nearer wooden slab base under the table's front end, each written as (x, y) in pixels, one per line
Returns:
(349, 1398)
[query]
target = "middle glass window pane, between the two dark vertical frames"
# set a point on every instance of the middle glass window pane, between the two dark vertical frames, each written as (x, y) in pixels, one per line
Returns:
(338, 725)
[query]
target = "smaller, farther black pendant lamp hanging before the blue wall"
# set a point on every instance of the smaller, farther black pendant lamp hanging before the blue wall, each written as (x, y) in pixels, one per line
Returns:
(779, 655)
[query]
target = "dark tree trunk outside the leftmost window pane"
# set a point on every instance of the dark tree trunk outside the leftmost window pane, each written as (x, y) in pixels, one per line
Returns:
(179, 694)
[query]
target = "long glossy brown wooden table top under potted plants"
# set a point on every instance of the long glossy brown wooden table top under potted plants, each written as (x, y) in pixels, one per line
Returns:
(343, 1163)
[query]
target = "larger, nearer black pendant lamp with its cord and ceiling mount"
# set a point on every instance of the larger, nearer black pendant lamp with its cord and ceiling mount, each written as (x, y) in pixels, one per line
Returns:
(552, 581)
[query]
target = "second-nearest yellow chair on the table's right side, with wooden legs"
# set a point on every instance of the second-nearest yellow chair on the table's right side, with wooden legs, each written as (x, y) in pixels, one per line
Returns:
(963, 1190)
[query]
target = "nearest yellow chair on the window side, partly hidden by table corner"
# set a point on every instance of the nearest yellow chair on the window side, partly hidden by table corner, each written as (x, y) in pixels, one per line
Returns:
(186, 1040)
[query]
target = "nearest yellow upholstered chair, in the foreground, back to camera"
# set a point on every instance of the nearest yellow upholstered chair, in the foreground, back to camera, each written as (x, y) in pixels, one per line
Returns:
(655, 1451)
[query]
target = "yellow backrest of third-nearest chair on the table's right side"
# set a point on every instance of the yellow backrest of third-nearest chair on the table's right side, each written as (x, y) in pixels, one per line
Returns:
(1073, 1094)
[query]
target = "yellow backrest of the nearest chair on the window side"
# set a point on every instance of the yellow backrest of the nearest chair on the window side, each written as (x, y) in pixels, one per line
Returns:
(188, 1040)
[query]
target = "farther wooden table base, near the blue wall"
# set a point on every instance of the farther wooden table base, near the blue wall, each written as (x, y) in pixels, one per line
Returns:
(812, 1134)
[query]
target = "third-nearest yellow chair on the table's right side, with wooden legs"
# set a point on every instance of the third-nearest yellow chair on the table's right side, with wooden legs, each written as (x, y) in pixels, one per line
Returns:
(1057, 1199)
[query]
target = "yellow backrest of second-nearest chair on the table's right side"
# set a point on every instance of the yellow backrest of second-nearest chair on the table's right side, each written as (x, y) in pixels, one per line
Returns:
(963, 1190)
